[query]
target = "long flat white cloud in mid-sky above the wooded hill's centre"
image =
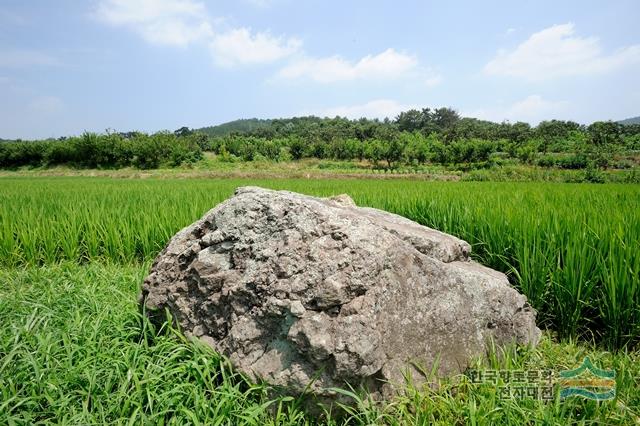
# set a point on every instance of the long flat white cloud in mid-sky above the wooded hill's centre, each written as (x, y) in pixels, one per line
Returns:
(388, 64)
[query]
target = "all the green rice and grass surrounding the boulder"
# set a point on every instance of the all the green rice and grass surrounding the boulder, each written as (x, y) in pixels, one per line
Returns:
(74, 348)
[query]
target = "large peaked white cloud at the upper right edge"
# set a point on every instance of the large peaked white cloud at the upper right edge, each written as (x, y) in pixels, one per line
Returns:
(557, 52)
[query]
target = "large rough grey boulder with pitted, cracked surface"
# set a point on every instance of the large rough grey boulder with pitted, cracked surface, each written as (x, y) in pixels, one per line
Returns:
(296, 289)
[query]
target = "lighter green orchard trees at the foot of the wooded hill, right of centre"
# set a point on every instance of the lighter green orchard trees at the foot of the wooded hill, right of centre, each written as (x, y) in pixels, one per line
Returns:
(416, 149)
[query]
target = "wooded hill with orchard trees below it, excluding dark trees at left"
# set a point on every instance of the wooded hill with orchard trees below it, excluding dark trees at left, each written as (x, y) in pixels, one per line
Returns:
(431, 136)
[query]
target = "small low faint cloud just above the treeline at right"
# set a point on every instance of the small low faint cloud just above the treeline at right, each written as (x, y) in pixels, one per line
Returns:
(531, 109)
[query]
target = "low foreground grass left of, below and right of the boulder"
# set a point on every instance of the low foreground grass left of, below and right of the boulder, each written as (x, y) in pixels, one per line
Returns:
(74, 349)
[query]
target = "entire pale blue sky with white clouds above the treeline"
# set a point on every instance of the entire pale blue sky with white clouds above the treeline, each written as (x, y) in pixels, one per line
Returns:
(68, 66)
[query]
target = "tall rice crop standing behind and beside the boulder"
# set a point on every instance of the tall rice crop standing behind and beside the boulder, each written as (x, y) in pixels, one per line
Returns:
(574, 250)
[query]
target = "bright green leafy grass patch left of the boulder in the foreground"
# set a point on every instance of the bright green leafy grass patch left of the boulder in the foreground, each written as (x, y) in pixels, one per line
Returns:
(75, 350)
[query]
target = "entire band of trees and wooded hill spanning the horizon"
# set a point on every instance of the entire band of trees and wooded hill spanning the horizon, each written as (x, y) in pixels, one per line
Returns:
(414, 137)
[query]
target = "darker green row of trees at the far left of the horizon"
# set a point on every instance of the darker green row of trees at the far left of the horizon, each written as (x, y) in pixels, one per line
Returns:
(110, 150)
